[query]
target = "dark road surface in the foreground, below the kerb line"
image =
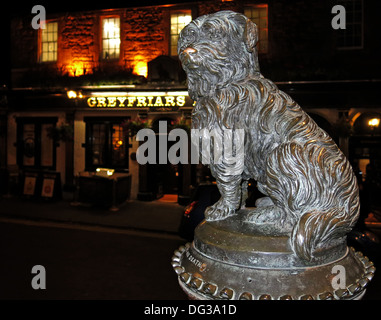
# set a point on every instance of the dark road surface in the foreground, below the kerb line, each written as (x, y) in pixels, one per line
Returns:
(86, 263)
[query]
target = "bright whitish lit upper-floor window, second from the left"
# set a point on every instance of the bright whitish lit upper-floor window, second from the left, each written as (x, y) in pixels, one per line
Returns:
(110, 38)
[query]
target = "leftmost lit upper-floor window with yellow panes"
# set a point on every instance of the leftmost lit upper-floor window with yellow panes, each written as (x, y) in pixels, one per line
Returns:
(49, 37)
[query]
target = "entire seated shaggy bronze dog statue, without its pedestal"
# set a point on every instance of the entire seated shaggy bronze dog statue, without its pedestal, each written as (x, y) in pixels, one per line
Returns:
(311, 190)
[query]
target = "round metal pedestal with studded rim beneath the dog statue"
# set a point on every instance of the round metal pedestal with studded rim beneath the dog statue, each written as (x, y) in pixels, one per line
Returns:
(229, 259)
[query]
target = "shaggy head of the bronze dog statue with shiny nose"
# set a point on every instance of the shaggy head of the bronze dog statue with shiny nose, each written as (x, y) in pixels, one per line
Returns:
(216, 50)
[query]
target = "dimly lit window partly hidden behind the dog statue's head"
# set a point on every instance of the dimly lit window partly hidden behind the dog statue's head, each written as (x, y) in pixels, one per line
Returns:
(259, 15)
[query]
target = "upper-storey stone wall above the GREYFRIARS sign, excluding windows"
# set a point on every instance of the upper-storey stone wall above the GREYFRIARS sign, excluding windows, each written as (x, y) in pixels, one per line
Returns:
(302, 42)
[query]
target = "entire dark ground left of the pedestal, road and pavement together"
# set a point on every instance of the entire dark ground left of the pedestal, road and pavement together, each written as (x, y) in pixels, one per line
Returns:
(87, 252)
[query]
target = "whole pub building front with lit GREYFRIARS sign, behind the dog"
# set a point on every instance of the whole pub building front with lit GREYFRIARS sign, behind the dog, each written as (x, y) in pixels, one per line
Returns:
(82, 83)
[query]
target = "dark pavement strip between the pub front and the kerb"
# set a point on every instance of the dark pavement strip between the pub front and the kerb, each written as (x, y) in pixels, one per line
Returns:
(157, 216)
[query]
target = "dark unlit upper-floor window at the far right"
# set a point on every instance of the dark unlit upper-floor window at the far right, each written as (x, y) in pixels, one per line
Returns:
(352, 36)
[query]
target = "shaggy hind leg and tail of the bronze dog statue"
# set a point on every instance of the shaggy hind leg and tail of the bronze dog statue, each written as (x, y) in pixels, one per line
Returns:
(323, 198)
